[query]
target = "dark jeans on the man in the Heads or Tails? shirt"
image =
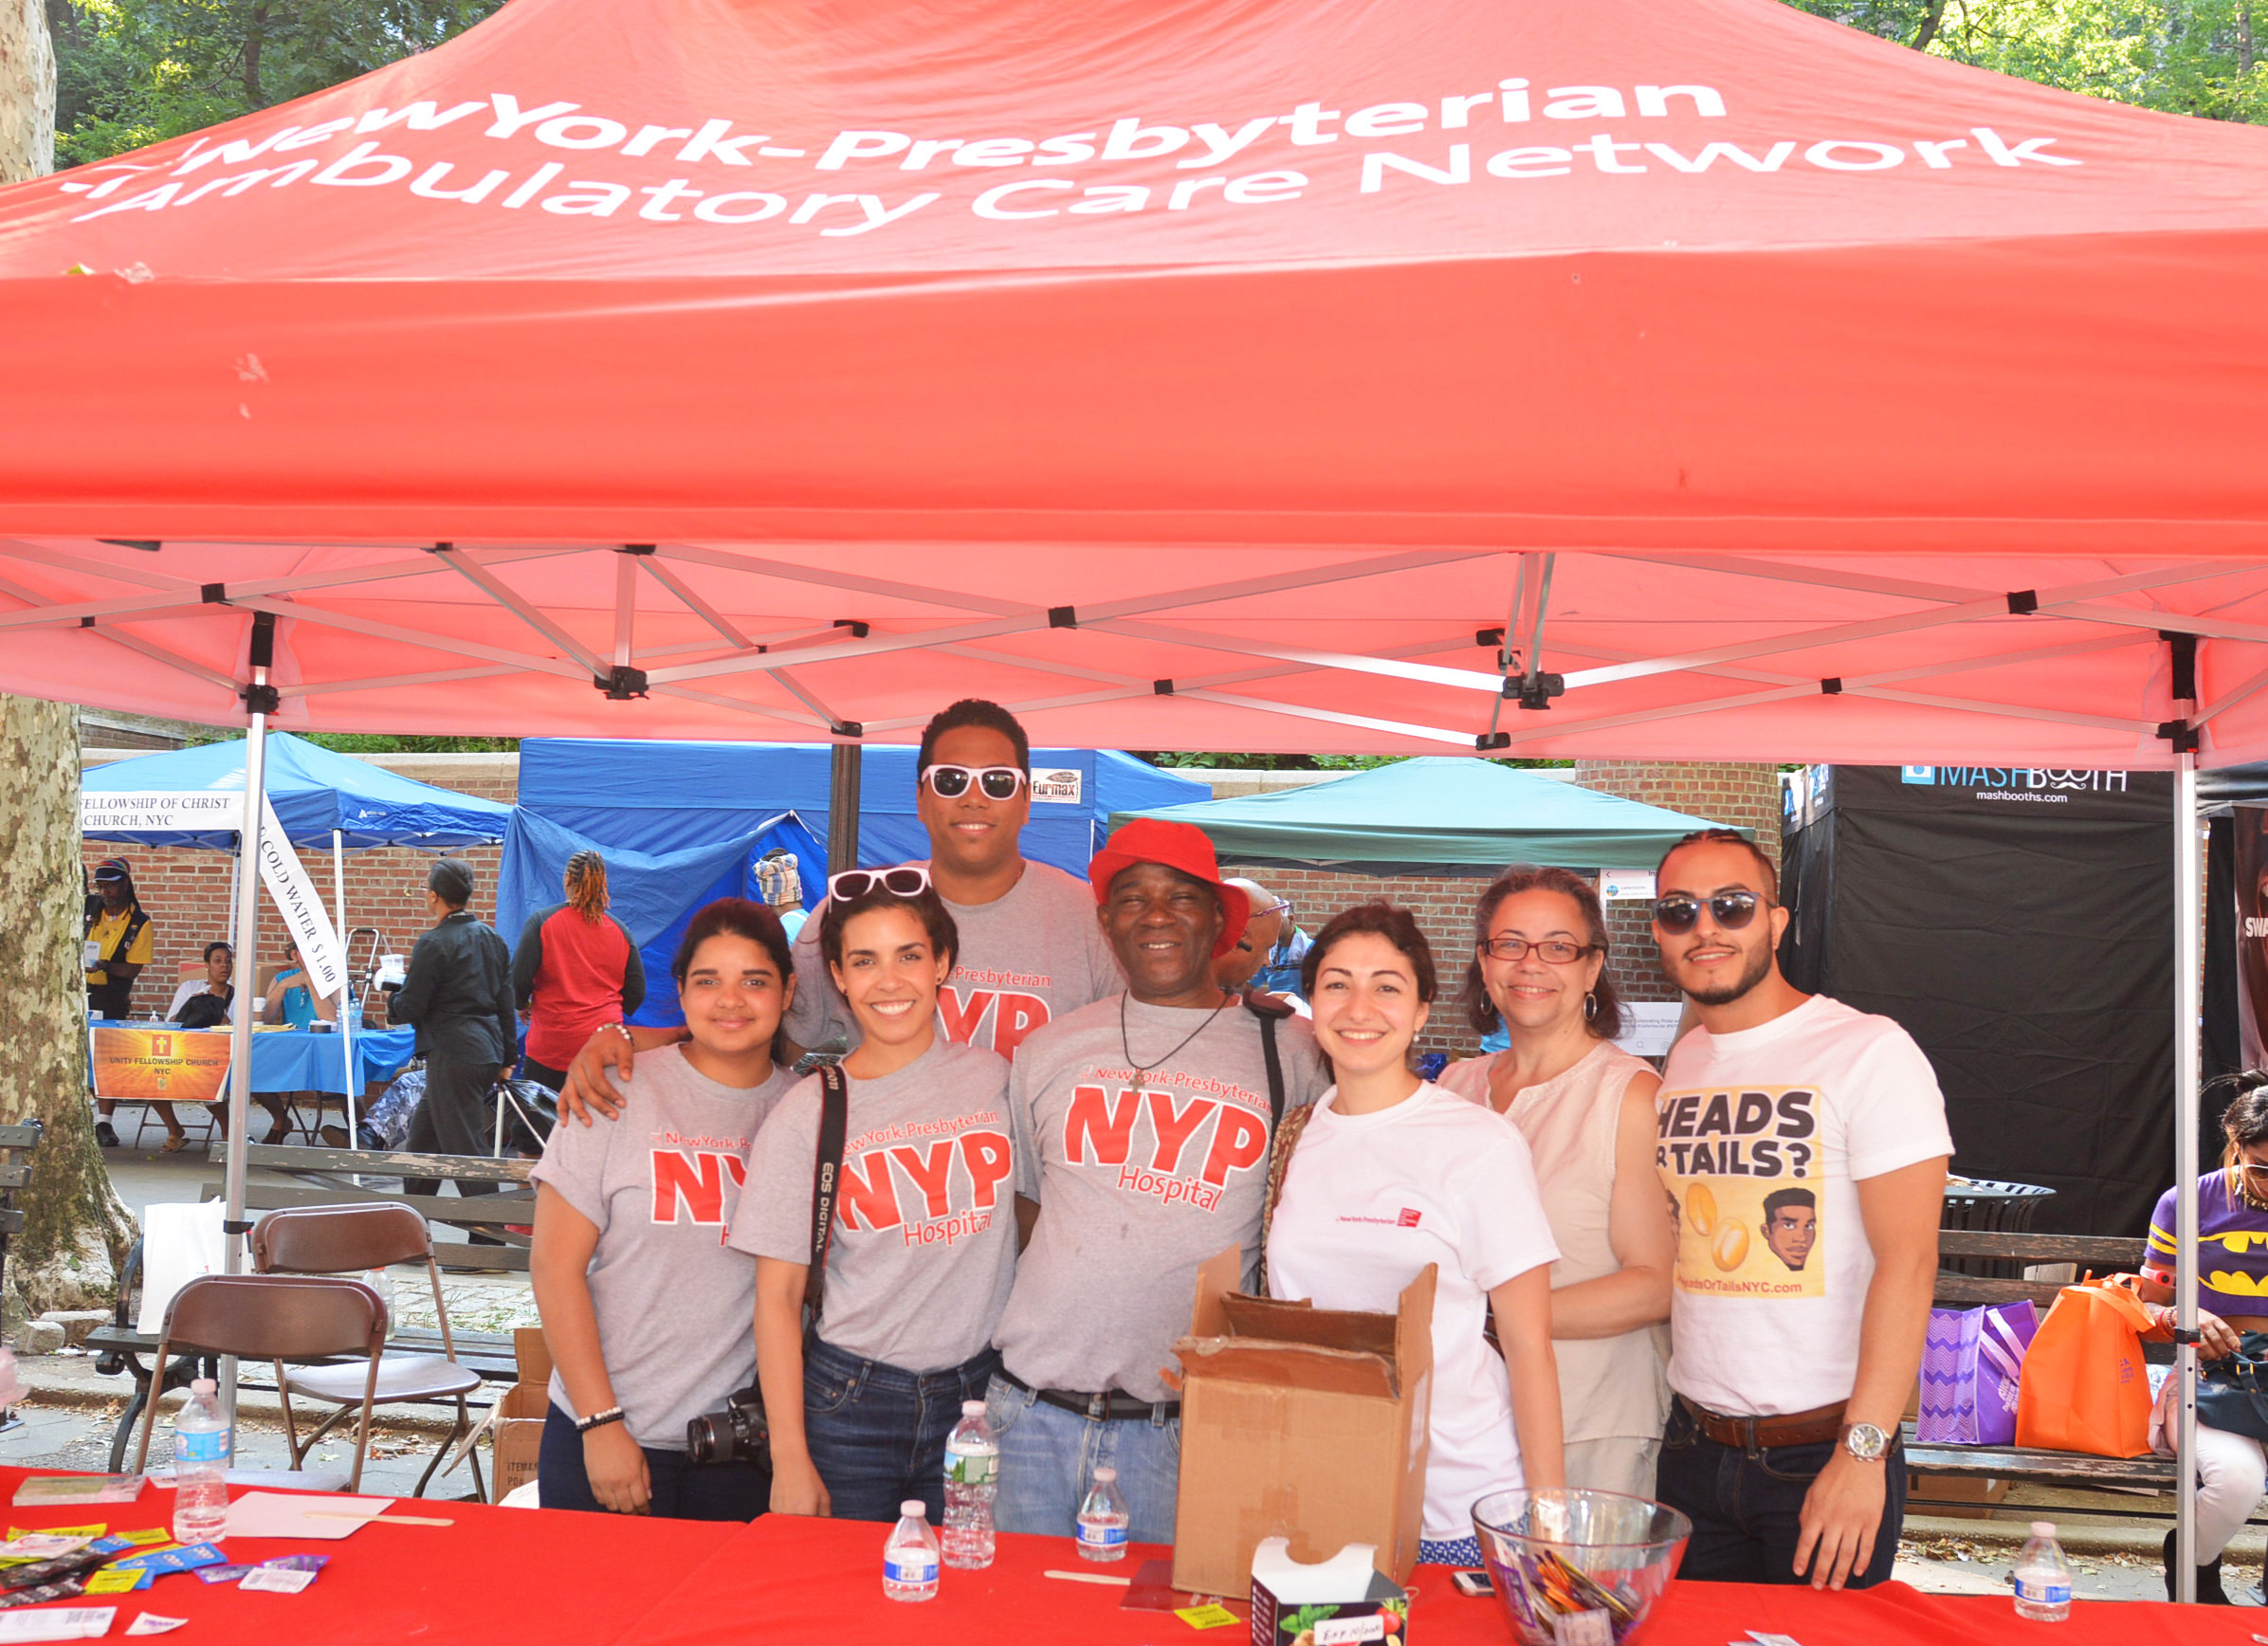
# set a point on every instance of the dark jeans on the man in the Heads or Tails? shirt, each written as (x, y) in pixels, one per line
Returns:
(1745, 1504)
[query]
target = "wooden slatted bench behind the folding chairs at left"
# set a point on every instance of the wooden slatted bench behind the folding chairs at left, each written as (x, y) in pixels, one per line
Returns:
(124, 1350)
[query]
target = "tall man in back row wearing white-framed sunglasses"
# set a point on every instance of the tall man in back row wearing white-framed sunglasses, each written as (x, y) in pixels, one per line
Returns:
(1031, 951)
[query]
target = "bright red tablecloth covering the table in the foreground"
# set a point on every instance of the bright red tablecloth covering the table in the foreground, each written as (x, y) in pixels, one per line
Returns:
(552, 1579)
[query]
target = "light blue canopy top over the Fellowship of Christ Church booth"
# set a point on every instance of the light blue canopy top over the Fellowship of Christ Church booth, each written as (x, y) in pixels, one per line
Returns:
(314, 792)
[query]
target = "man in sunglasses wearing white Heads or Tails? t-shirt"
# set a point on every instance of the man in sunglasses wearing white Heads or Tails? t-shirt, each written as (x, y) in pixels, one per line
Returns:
(1791, 1377)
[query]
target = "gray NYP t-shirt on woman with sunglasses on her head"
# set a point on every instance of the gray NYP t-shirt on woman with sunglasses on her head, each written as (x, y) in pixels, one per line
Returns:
(924, 1228)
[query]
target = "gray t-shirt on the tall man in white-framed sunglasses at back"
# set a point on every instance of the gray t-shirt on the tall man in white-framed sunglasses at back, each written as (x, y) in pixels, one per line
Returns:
(1026, 960)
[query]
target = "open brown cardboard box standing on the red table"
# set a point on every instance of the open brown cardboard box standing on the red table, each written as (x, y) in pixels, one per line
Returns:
(1298, 1423)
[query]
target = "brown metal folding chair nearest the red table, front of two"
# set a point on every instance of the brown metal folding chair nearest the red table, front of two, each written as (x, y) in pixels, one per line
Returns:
(278, 1318)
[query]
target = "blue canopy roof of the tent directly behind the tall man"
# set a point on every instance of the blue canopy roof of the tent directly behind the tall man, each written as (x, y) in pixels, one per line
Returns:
(666, 797)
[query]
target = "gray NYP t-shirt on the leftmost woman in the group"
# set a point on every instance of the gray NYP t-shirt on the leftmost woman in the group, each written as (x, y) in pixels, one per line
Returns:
(661, 1185)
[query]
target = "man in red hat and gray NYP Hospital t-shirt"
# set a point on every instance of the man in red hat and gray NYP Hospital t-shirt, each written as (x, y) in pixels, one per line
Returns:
(1142, 1148)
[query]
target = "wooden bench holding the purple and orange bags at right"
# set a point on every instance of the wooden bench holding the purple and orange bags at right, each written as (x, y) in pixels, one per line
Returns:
(2104, 1255)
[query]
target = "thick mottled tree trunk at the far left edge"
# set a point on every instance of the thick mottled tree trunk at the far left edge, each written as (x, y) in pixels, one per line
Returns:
(74, 1225)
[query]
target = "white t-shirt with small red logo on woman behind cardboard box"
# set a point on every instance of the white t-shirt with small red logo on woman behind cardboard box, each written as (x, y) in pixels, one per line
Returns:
(1371, 1200)
